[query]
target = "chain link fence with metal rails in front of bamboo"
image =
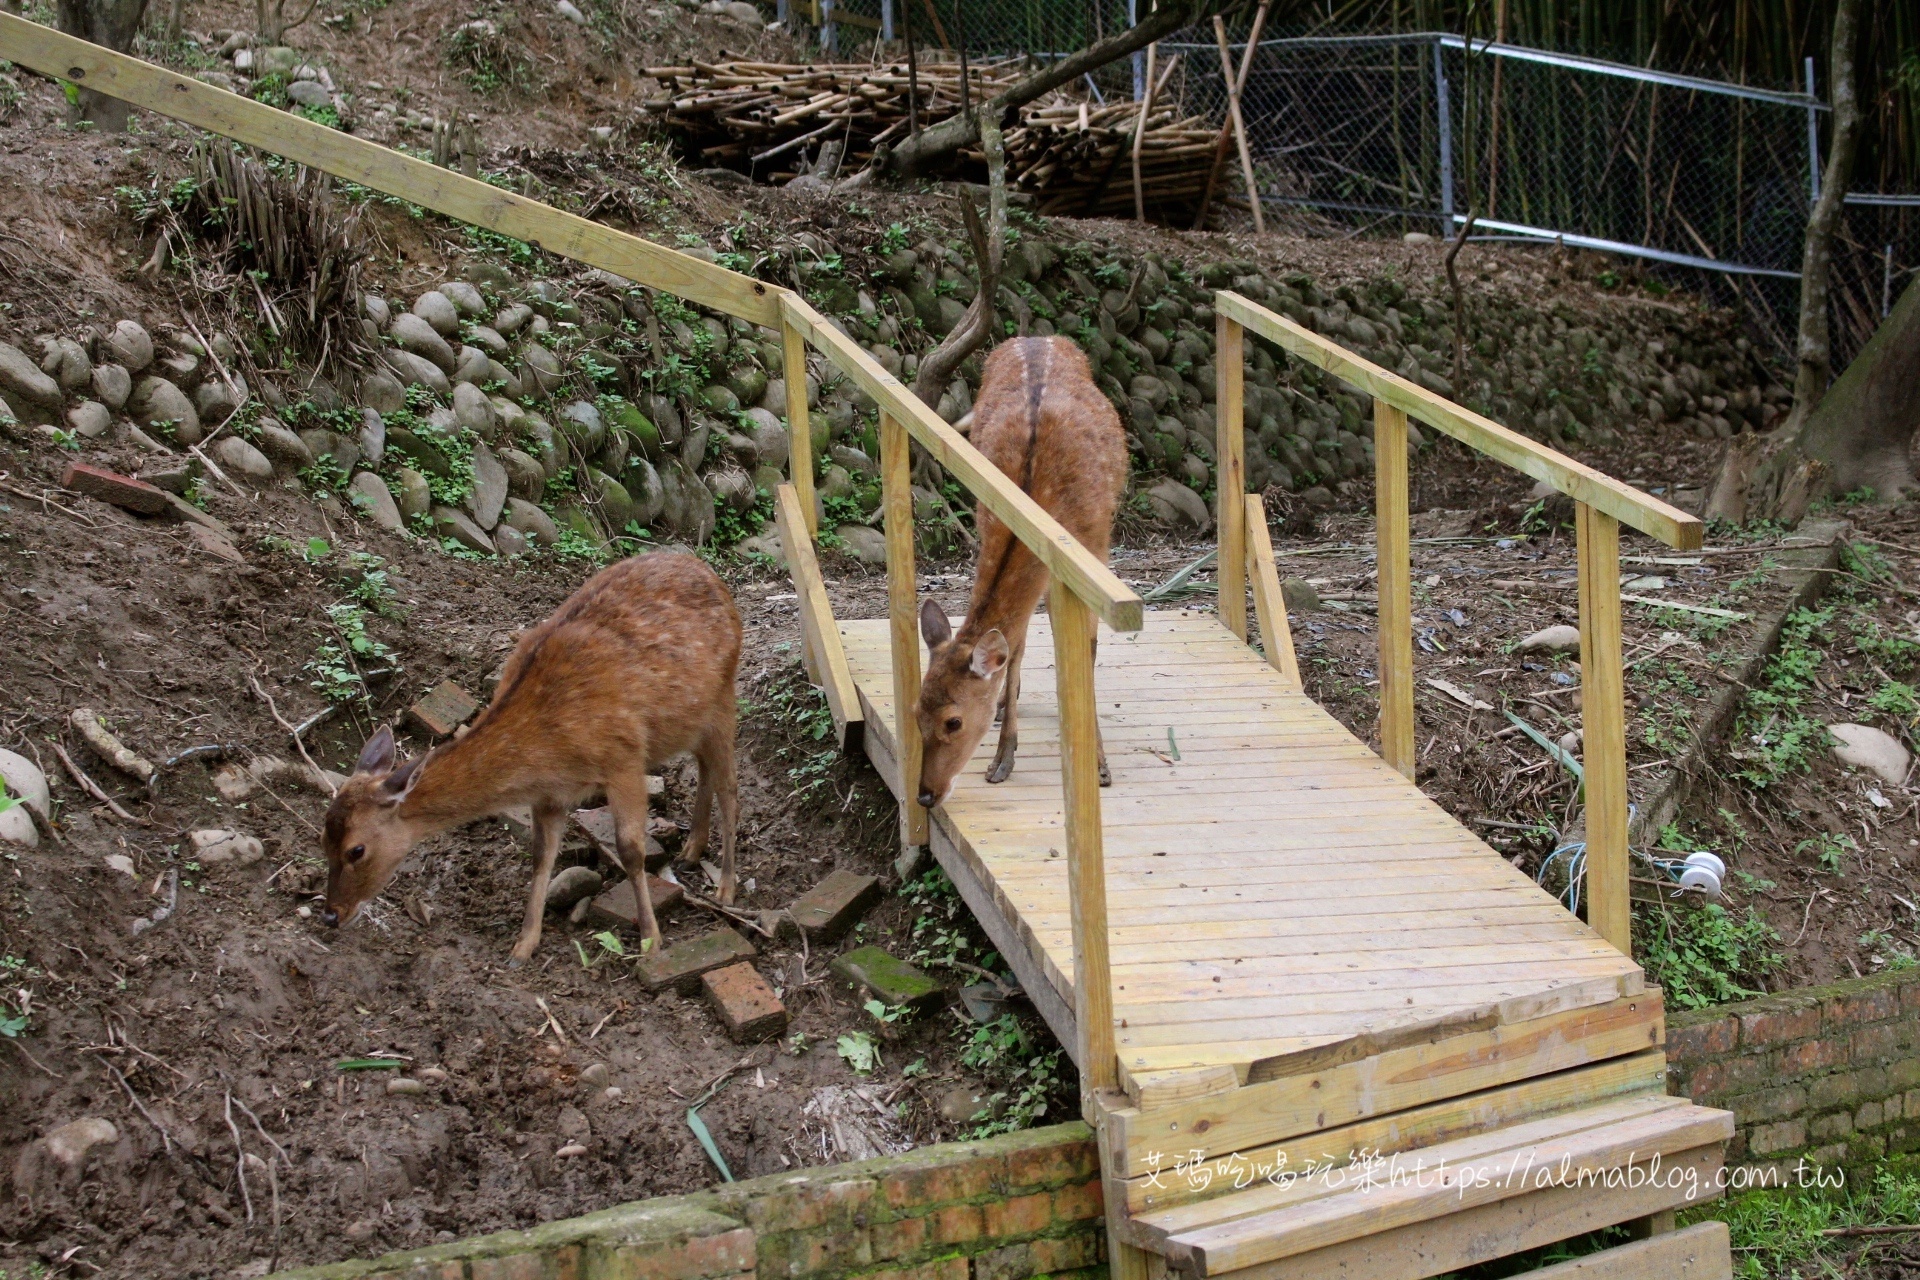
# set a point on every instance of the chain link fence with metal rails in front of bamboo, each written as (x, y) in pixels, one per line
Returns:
(1696, 181)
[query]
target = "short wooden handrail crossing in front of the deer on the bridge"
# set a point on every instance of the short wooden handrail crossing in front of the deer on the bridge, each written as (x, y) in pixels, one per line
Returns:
(1063, 556)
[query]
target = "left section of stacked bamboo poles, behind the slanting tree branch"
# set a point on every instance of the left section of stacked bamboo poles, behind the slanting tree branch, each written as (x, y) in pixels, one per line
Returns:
(746, 114)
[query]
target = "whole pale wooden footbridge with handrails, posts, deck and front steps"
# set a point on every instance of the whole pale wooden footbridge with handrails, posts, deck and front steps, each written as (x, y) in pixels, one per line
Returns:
(1322, 1030)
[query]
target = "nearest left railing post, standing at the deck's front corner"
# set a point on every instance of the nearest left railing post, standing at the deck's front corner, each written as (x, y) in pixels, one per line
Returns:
(1080, 784)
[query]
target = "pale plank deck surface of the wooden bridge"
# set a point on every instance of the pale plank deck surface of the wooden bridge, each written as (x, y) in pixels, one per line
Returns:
(1274, 888)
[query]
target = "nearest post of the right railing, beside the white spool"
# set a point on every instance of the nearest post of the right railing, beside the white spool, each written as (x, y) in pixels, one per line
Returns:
(1604, 726)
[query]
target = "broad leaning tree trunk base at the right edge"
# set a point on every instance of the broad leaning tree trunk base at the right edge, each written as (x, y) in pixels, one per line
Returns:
(1865, 423)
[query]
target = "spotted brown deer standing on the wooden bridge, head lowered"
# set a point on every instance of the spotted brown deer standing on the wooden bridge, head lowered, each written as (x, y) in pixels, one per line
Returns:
(1040, 419)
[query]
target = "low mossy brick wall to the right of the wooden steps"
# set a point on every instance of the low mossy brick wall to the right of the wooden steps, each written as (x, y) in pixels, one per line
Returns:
(1827, 1074)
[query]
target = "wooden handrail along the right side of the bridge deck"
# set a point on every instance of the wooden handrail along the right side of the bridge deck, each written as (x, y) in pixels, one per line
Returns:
(1577, 481)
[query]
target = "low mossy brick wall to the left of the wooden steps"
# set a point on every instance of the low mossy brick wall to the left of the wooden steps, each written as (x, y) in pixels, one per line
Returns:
(1001, 1210)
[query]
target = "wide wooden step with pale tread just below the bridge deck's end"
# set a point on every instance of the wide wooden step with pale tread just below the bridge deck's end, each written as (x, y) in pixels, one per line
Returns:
(1595, 1160)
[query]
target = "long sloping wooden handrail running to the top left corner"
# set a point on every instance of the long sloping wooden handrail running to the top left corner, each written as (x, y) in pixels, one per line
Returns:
(385, 170)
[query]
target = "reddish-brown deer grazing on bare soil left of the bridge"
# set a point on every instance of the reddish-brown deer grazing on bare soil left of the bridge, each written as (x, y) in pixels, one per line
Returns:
(635, 669)
